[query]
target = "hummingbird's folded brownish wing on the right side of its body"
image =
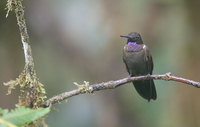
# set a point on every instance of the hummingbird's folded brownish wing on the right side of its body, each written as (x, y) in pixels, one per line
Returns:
(148, 59)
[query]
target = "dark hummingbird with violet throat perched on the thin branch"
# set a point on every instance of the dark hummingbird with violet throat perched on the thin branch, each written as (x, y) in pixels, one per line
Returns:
(138, 61)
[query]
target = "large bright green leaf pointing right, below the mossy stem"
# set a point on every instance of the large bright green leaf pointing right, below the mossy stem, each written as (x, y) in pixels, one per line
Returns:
(24, 115)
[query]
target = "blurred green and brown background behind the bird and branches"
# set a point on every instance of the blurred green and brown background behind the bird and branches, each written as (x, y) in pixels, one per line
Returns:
(77, 40)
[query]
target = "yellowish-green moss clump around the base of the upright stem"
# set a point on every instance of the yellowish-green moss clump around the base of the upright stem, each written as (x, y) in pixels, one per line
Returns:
(32, 93)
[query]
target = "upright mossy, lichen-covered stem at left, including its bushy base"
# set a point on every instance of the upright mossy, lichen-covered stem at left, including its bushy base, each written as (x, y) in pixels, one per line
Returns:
(32, 93)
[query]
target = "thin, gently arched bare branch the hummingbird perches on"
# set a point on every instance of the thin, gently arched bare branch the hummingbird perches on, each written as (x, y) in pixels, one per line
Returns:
(114, 84)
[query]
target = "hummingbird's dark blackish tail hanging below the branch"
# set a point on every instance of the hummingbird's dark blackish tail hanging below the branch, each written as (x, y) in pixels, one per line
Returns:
(146, 89)
